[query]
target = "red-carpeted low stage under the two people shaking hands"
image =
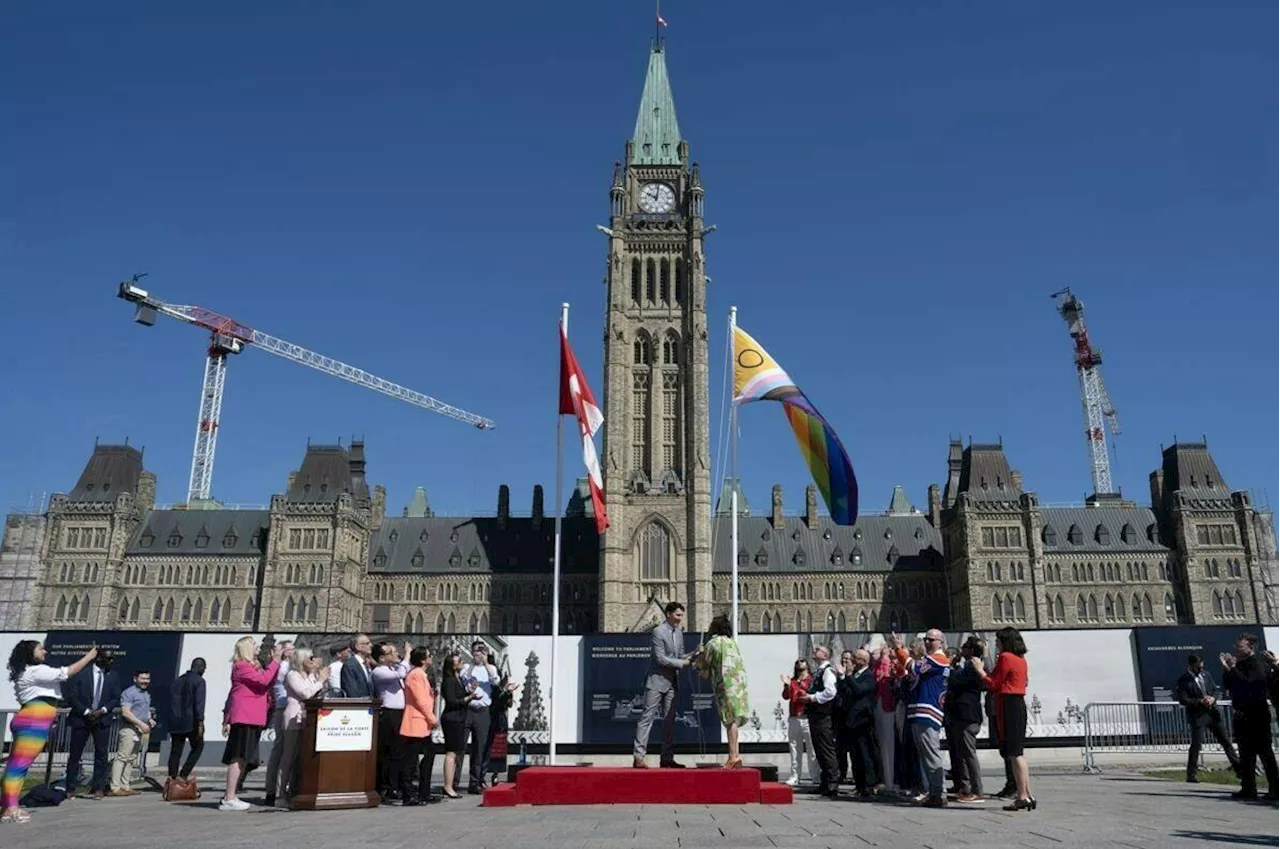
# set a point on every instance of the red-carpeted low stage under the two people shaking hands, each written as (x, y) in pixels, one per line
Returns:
(621, 786)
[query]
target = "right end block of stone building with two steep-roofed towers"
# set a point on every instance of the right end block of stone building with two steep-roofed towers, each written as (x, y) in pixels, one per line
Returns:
(1195, 556)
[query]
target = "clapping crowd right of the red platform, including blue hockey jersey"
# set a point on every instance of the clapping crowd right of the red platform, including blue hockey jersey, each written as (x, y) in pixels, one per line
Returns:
(877, 719)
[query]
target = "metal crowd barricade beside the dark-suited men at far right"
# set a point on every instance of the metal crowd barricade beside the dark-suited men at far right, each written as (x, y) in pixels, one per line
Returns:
(1145, 728)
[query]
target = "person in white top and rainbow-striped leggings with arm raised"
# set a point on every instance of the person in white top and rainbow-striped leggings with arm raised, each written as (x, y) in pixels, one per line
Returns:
(39, 690)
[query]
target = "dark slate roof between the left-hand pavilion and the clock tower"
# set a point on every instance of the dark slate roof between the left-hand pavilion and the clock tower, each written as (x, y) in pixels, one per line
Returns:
(433, 546)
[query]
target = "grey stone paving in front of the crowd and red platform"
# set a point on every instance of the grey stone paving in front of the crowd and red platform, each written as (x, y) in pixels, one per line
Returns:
(1099, 813)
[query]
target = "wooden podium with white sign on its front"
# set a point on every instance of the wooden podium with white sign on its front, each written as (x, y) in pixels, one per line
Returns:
(339, 756)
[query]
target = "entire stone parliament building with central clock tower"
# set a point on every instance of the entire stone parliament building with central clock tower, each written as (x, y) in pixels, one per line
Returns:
(981, 553)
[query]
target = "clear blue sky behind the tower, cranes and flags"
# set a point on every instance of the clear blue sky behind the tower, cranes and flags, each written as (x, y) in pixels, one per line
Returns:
(413, 188)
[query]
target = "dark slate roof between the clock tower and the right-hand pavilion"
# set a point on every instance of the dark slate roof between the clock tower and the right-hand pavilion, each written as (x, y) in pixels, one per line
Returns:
(876, 544)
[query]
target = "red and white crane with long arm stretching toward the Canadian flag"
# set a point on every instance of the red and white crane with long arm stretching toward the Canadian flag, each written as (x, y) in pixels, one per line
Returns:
(228, 337)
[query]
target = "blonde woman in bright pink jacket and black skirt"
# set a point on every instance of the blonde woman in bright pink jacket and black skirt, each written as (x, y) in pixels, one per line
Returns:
(246, 715)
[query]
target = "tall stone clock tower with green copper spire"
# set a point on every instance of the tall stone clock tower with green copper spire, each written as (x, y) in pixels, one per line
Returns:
(657, 474)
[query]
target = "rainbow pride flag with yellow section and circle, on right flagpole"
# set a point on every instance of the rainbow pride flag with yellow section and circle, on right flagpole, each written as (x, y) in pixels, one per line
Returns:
(757, 377)
